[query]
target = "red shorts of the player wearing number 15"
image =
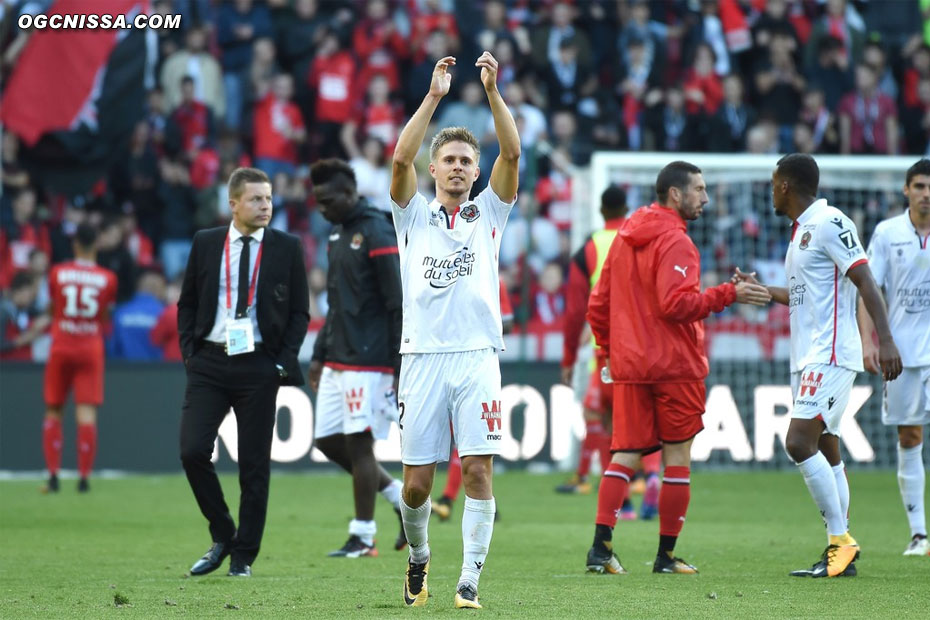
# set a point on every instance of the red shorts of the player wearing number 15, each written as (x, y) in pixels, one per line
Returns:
(80, 368)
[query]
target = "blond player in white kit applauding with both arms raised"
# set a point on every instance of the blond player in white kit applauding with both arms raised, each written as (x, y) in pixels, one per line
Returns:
(451, 323)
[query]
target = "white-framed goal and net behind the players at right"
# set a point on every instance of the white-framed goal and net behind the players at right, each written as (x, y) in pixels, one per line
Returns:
(748, 395)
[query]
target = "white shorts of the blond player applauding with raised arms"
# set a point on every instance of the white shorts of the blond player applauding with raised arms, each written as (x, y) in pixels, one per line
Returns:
(462, 388)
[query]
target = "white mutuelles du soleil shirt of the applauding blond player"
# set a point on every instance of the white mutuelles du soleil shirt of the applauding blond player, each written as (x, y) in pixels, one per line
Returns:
(448, 267)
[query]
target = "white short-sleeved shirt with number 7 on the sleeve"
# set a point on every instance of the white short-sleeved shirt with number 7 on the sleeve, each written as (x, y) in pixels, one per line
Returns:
(821, 299)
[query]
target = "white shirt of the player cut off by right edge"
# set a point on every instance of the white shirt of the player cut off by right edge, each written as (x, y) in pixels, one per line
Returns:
(900, 261)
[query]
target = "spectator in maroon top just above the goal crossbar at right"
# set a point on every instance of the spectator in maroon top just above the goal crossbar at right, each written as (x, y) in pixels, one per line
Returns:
(868, 118)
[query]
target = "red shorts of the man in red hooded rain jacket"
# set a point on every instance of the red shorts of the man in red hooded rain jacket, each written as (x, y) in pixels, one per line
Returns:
(646, 415)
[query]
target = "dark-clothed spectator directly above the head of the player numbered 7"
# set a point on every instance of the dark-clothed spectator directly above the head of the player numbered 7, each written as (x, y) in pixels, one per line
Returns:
(779, 85)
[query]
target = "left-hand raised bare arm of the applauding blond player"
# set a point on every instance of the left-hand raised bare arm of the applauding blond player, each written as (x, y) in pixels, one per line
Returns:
(403, 174)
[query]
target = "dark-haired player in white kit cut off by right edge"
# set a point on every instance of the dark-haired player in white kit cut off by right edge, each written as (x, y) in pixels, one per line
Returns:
(899, 254)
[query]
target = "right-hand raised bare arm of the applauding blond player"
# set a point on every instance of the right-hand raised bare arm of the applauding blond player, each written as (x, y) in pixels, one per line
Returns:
(506, 170)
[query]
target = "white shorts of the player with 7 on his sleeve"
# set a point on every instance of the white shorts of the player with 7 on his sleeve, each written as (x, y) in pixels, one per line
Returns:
(822, 391)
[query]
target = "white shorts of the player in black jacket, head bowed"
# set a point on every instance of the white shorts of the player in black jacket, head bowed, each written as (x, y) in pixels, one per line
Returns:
(353, 401)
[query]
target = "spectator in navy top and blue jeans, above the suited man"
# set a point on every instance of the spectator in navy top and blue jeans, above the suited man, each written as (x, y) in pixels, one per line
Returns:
(239, 24)
